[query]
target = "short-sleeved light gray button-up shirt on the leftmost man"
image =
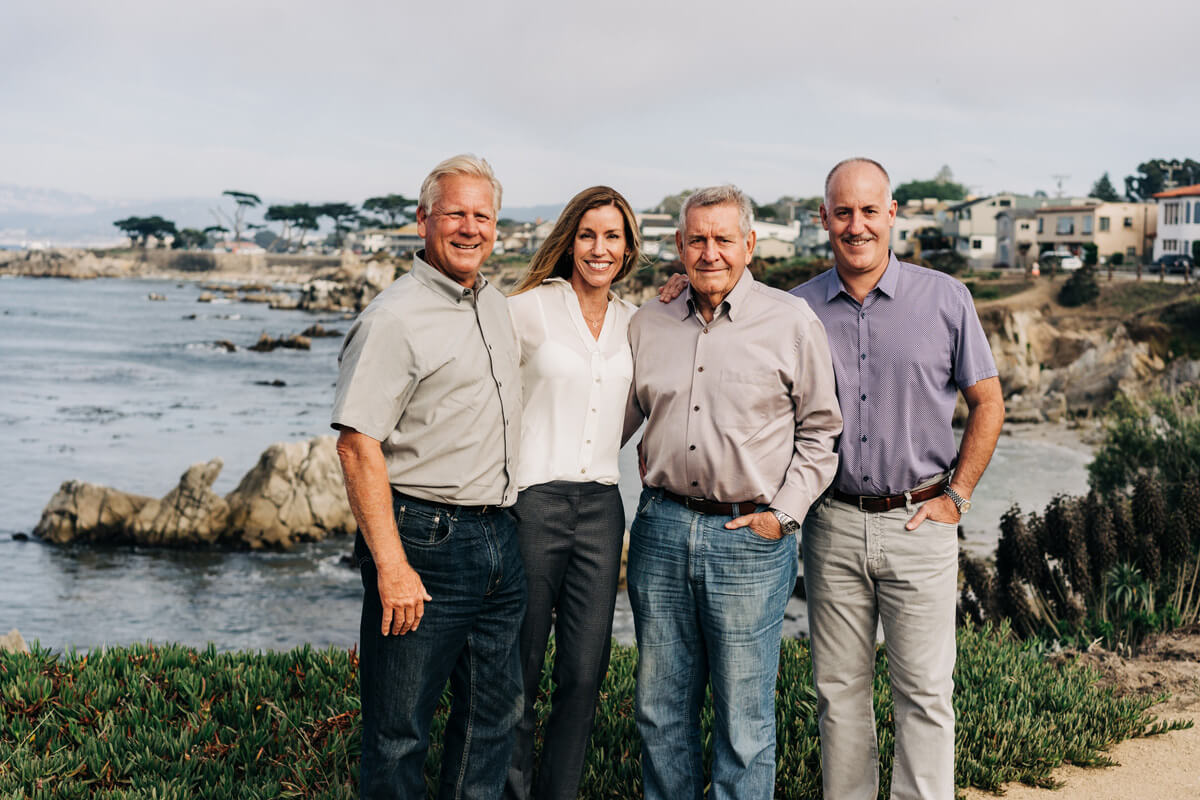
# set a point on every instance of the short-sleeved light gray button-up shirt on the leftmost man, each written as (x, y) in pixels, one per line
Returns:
(430, 370)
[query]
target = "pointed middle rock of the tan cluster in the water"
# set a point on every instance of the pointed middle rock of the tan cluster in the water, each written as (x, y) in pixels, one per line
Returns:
(191, 514)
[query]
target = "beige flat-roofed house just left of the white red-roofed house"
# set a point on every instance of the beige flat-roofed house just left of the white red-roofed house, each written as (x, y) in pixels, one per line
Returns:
(1126, 228)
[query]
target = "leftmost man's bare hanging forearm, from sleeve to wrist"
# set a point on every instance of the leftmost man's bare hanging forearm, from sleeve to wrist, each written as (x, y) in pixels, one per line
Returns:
(370, 495)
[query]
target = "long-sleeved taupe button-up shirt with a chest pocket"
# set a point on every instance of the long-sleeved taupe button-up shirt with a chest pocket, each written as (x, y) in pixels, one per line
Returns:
(742, 408)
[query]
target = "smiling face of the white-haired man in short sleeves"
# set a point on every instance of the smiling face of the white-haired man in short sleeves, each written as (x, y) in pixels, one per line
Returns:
(460, 230)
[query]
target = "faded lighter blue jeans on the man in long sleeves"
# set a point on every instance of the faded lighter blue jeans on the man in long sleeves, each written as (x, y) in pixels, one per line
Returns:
(709, 606)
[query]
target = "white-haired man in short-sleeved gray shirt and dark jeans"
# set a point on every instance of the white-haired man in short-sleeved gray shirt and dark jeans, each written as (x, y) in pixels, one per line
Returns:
(429, 408)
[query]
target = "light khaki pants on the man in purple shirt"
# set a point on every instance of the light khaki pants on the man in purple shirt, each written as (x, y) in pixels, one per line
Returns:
(861, 569)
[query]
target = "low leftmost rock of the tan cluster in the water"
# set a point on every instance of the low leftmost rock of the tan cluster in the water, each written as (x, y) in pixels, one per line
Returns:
(82, 512)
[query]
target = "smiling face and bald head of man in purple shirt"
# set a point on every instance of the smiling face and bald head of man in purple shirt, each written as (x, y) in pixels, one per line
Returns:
(859, 214)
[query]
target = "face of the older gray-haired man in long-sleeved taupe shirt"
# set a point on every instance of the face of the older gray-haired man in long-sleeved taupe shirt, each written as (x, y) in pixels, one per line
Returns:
(715, 251)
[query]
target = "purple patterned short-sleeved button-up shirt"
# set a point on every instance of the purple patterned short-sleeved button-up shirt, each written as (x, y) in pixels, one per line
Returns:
(902, 358)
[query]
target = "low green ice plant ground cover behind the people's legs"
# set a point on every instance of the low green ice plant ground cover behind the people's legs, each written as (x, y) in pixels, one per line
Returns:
(170, 721)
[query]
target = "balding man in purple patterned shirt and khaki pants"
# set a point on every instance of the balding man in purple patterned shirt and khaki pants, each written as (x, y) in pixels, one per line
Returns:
(883, 544)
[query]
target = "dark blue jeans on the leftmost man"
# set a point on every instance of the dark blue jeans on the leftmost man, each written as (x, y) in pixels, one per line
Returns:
(471, 566)
